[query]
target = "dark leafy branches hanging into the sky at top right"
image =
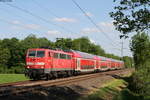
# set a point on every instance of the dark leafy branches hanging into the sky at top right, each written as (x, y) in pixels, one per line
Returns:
(131, 15)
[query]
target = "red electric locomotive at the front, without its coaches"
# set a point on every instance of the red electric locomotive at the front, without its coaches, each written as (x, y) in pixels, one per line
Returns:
(47, 63)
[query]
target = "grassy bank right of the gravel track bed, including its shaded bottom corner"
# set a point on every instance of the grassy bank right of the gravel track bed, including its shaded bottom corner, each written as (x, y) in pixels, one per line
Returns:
(116, 89)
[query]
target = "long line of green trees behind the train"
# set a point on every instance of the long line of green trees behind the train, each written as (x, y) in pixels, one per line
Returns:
(13, 51)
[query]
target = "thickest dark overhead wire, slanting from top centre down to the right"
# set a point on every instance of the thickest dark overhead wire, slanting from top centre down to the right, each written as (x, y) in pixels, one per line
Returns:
(92, 21)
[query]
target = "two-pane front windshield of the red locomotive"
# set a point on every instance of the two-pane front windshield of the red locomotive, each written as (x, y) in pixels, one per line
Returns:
(36, 53)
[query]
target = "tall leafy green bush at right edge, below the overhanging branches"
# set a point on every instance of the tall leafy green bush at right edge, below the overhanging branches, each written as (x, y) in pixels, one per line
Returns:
(140, 45)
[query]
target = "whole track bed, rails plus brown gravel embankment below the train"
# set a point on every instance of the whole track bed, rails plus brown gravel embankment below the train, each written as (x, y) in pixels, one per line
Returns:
(79, 85)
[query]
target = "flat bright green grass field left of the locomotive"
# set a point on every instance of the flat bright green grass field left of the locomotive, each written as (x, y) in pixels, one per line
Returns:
(7, 78)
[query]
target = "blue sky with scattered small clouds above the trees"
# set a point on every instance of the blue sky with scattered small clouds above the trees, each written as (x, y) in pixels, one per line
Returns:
(55, 15)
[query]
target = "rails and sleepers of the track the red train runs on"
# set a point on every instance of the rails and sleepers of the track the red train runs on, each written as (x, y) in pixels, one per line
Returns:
(24, 86)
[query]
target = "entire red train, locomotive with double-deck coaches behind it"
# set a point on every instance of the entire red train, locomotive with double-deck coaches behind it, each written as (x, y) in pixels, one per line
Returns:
(44, 62)
